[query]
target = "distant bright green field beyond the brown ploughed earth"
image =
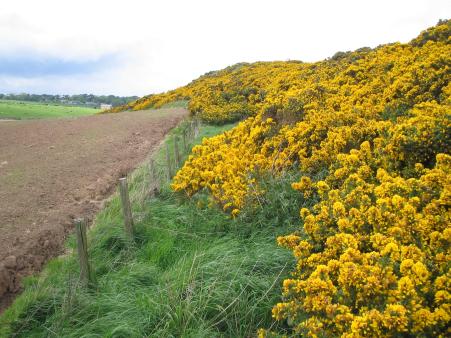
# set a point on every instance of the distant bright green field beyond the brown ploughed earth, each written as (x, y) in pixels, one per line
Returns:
(19, 110)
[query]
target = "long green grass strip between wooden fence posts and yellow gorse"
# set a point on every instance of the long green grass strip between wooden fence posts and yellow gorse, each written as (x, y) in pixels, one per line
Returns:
(192, 272)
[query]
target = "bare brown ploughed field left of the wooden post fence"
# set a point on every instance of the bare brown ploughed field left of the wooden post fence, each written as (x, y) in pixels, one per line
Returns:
(52, 171)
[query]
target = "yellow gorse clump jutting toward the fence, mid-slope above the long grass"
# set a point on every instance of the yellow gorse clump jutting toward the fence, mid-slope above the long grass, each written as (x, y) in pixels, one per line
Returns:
(213, 165)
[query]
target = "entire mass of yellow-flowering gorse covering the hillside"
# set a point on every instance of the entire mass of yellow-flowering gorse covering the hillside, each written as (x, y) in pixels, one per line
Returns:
(370, 133)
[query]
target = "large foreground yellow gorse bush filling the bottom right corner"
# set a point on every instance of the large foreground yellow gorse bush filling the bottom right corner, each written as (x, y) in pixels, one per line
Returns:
(375, 258)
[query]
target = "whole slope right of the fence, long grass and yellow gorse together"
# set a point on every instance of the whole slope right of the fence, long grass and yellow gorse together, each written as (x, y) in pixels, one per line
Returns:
(345, 163)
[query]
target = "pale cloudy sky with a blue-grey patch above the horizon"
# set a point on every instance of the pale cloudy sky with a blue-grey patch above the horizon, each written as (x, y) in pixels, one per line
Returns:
(137, 47)
